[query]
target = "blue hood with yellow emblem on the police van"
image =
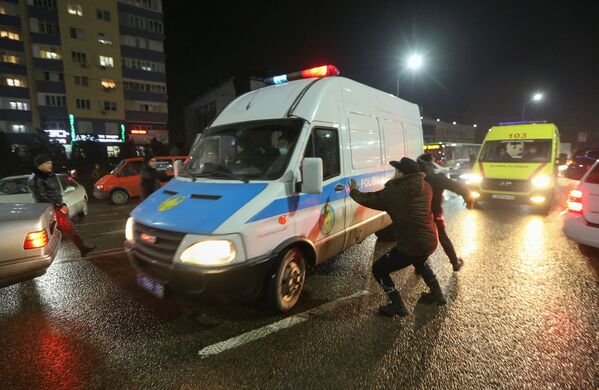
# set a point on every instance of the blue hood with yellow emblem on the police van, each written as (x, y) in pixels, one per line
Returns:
(195, 207)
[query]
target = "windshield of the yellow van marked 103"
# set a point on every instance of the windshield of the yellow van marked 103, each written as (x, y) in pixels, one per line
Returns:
(521, 151)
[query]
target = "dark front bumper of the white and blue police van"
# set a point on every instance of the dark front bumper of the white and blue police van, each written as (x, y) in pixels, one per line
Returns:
(223, 284)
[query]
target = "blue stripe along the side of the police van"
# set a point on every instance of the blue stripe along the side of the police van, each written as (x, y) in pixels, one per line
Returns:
(298, 202)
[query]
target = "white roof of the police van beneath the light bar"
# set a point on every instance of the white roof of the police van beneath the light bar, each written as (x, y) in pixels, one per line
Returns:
(306, 99)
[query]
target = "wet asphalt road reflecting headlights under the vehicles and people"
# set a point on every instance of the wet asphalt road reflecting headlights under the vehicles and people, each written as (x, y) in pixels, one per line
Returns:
(522, 313)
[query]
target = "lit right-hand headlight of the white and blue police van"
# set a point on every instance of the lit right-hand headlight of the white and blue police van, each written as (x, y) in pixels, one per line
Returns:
(210, 253)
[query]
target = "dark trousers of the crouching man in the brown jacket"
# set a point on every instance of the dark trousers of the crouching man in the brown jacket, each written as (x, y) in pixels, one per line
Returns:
(393, 261)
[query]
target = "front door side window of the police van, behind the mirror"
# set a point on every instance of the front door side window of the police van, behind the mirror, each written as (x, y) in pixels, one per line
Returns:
(324, 143)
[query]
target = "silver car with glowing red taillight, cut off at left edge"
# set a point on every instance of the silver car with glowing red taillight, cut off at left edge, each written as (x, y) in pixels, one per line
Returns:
(30, 241)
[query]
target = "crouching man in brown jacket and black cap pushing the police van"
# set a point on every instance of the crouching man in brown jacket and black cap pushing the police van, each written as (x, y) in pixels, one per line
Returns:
(407, 200)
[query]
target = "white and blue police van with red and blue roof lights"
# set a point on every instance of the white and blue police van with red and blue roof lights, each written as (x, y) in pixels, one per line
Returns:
(265, 192)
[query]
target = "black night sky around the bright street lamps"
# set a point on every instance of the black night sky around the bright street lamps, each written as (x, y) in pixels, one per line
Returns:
(483, 58)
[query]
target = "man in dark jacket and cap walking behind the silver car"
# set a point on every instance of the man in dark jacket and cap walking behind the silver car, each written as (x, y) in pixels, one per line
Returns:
(44, 186)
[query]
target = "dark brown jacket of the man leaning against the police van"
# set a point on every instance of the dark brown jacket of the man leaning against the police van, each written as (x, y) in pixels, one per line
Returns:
(407, 200)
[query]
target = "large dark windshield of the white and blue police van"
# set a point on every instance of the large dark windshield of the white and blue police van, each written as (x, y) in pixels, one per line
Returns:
(257, 150)
